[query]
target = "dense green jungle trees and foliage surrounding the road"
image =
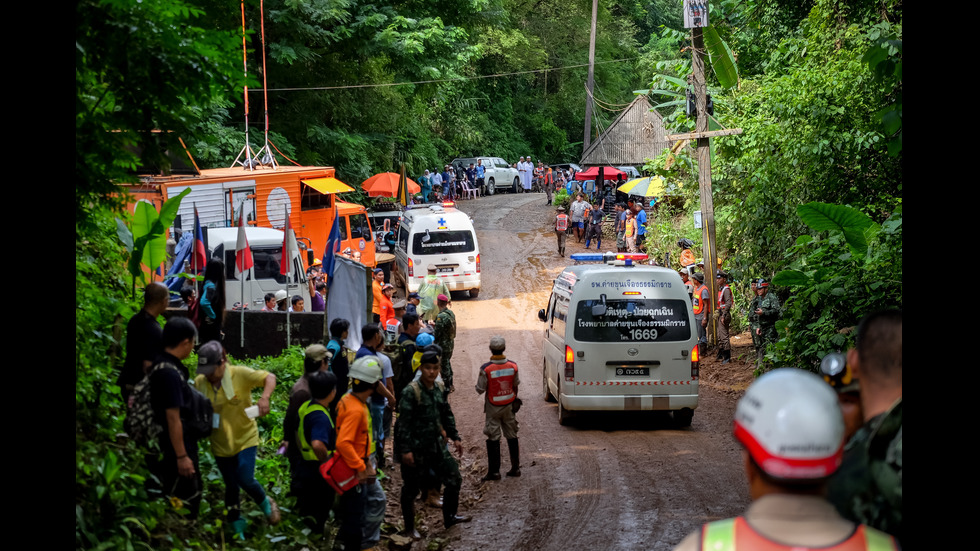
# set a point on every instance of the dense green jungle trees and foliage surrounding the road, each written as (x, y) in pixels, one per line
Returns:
(817, 91)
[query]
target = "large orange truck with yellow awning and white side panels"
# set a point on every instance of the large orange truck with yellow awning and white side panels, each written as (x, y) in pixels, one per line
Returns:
(307, 195)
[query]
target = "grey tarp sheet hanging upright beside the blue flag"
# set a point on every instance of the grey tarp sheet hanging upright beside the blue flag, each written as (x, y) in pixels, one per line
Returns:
(350, 298)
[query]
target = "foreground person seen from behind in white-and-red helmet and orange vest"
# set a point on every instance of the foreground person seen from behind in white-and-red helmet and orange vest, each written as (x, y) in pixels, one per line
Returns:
(793, 437)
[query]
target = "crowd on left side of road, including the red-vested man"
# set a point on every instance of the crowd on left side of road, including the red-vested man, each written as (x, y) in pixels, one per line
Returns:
(338, 419)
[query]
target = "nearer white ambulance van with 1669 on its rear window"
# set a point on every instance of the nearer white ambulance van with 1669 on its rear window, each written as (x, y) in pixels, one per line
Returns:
(620, 336)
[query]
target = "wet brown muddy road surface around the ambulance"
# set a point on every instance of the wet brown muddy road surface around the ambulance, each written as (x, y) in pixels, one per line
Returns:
(609, 481)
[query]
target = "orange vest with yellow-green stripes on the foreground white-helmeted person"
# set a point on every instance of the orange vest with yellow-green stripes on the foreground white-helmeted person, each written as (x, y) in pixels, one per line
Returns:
(734, 534)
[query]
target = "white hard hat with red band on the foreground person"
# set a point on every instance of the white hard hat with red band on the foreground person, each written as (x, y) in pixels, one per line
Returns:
(790, 423)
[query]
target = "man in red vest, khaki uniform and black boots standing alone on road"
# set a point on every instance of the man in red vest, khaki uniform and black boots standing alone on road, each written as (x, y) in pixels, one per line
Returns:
(498, 378)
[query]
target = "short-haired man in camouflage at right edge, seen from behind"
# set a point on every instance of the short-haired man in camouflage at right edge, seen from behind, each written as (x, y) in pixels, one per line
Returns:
(868, 486)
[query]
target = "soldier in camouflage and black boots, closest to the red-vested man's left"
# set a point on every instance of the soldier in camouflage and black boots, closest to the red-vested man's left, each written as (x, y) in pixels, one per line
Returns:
(425, 425)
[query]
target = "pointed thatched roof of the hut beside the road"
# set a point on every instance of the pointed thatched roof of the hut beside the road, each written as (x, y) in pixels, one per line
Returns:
(637, 134)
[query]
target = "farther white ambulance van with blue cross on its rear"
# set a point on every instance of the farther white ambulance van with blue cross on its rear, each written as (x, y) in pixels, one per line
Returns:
(441, 236)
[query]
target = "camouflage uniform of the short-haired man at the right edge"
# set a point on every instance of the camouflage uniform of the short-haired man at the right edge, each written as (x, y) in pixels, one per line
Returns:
(868, 486)
